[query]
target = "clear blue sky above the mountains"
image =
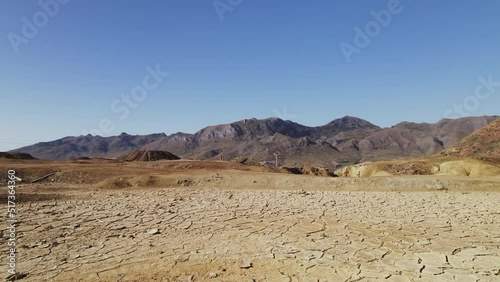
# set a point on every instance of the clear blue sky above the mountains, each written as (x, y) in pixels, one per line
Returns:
(263, 56)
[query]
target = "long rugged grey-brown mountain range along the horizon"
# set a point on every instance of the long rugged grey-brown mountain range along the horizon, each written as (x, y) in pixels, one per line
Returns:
(342, 141)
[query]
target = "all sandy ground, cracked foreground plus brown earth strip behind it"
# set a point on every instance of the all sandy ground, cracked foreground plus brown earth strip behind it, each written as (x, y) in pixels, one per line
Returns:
(210, 221)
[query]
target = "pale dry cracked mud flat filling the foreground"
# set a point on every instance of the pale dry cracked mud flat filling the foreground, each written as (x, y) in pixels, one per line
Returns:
(186, 234)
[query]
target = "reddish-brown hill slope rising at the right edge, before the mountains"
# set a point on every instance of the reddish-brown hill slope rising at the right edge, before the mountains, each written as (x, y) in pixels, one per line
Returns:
(482, 144)
